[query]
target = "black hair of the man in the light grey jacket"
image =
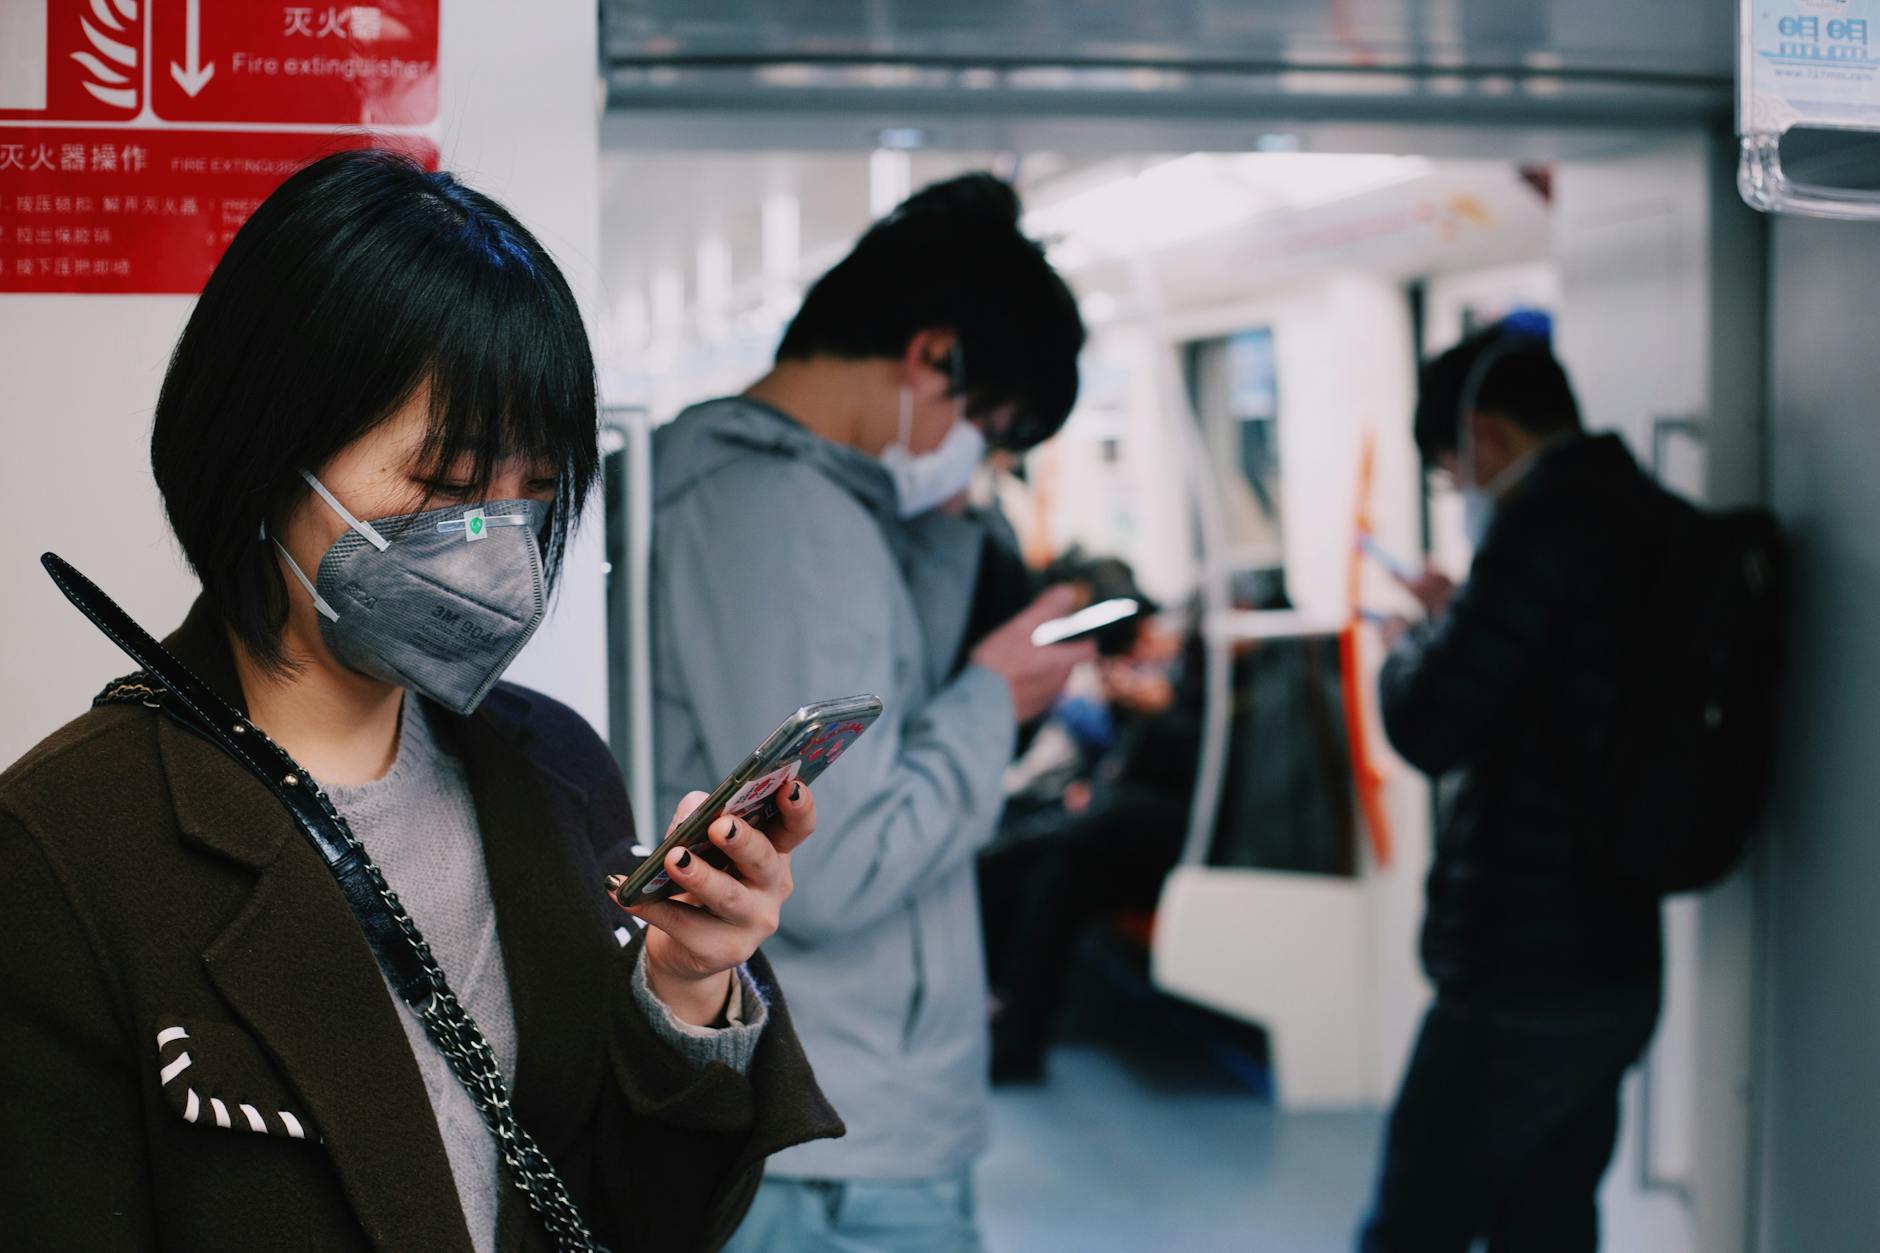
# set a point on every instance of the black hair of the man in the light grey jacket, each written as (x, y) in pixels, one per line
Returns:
(952, 257)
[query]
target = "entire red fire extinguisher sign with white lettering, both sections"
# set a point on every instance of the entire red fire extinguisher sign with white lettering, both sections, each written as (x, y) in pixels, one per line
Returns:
(136, 136)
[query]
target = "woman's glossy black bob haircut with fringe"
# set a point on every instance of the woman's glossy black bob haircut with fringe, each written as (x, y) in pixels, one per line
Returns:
(358, 285)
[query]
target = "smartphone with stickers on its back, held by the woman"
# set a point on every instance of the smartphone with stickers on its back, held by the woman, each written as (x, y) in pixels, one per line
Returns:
(802, 748)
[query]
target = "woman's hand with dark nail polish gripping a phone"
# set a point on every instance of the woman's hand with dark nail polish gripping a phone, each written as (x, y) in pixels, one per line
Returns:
(697, 940)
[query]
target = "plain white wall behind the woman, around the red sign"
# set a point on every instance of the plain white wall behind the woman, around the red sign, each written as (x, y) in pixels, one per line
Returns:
(80, 377)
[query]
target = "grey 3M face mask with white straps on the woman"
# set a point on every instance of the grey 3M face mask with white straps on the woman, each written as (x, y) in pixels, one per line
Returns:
(439, 603)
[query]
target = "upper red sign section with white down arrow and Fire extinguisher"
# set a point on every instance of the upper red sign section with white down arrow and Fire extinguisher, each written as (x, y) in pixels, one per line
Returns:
(343, 65)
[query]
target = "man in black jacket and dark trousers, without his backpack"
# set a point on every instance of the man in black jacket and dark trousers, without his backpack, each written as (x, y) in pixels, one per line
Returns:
(1546, 964)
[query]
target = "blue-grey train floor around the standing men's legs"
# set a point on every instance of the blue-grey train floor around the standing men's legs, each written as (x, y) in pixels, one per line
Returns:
(1155, 1132)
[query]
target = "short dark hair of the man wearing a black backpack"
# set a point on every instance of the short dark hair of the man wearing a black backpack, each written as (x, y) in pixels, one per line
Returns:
(1505, 370)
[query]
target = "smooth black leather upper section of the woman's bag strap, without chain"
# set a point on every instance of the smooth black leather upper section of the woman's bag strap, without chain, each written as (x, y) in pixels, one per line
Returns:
(198, 708)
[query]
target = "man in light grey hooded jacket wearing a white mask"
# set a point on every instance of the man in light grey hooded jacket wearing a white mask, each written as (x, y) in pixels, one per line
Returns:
(800, 554)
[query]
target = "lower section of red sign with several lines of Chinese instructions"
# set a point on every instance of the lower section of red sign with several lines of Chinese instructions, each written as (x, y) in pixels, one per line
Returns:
(138, 210)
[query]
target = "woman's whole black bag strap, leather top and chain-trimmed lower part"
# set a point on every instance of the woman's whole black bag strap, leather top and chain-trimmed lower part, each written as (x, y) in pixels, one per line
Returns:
(399, 947)
